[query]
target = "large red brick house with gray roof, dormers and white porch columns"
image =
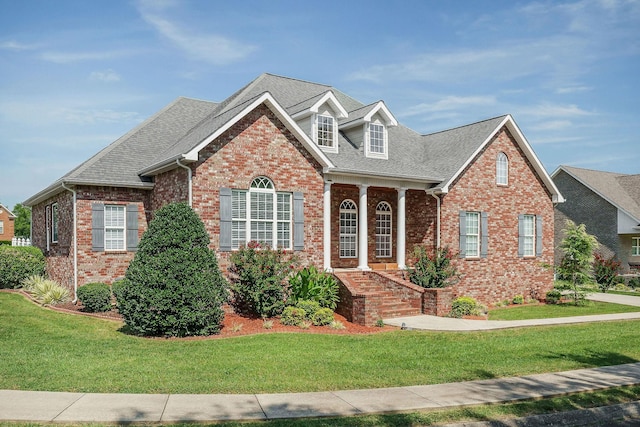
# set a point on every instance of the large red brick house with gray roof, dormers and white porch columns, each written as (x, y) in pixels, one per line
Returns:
(305, 167)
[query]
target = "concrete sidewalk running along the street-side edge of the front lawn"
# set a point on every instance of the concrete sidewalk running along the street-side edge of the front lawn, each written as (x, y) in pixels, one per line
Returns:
(34, 406)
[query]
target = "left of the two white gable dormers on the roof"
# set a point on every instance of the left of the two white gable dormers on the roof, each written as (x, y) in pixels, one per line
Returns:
(319, 117)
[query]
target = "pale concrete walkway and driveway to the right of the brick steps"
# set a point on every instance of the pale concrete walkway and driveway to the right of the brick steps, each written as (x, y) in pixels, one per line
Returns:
(434, 323)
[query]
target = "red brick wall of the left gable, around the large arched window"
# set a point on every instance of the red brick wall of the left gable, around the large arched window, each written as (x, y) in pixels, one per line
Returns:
(259, 145)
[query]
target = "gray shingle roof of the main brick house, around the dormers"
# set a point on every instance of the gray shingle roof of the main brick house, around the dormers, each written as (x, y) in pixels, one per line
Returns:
(184, 124)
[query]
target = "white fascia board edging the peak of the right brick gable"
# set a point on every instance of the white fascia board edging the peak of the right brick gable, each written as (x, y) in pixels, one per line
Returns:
(508, 121)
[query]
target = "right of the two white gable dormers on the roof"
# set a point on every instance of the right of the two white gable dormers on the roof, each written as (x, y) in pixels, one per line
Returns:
(369, 125)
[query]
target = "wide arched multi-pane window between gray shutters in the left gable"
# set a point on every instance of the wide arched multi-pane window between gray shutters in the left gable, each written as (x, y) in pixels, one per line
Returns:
(262, 214)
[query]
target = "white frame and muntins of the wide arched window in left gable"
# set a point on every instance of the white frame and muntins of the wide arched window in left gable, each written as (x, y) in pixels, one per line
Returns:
(248, 221)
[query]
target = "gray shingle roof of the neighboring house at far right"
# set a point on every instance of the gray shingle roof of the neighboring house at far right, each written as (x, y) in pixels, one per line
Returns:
(622, 190)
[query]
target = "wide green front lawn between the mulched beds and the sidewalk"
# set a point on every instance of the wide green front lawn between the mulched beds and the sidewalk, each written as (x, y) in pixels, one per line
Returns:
(46, 350)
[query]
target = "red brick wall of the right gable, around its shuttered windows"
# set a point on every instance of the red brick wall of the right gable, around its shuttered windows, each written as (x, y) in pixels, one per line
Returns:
(502, 274)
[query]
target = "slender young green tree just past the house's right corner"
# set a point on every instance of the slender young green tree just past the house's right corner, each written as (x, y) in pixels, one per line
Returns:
(576, 266)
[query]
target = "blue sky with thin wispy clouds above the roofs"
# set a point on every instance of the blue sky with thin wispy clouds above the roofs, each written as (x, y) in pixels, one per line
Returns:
(76, 75)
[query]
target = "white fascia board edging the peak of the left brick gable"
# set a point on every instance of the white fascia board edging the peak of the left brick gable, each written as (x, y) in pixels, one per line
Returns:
(277, 109)
